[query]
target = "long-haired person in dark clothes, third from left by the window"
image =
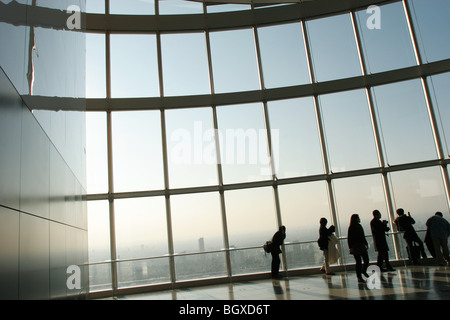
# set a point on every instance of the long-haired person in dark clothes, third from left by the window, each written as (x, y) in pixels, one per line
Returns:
(358, 245)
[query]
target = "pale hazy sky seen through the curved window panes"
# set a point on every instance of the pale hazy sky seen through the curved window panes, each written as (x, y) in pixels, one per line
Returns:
(400, 109)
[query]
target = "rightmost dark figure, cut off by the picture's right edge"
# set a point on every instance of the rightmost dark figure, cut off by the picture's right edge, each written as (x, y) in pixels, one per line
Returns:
(439, 231)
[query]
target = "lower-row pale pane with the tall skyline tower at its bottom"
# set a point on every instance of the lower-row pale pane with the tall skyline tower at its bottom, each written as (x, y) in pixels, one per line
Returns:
(196, 222)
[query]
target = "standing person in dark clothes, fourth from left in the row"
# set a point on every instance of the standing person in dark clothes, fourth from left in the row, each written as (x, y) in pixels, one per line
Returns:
(379, 229)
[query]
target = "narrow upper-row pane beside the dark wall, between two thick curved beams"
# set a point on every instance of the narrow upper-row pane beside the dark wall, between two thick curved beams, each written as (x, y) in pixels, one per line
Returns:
(95, 66)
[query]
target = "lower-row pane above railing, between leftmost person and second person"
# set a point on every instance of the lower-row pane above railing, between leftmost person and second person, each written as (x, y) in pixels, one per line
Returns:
(302, 206)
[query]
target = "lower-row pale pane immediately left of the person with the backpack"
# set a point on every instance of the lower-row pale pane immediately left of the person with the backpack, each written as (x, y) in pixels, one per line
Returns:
(250, 216)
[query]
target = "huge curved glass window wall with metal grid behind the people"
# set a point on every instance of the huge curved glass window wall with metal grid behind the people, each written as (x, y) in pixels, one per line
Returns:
(256, 125)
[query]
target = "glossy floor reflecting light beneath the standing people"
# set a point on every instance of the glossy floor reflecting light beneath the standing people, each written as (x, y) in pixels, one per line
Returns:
(408, 282)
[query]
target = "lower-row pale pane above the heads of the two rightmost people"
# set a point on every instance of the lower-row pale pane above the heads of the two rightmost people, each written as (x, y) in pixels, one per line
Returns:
(420, 192)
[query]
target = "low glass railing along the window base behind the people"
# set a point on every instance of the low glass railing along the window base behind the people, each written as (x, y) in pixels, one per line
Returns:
(149, 271)
